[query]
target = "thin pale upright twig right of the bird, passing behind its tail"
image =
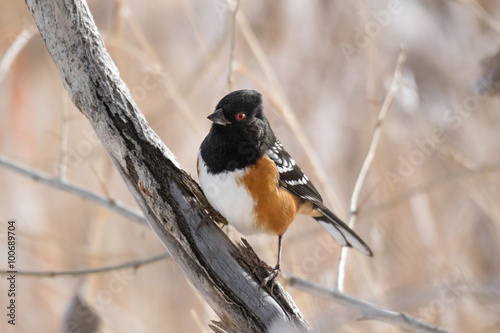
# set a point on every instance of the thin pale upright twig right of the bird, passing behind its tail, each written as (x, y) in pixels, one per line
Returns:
(368, 161)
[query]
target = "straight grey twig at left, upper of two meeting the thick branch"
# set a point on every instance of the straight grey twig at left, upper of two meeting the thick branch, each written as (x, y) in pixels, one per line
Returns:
(78, 190)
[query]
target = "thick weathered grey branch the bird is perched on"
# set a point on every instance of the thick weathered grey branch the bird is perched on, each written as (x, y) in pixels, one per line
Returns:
(168, 196)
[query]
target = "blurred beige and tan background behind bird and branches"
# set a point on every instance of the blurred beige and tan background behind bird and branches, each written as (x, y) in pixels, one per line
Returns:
(428, 208)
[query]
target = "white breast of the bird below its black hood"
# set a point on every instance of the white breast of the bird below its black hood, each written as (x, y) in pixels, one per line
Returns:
(228, 197)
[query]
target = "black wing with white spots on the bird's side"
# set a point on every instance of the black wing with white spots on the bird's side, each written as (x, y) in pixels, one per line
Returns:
(291, 175)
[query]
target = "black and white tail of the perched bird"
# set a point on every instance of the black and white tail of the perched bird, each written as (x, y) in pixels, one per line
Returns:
(344, 235)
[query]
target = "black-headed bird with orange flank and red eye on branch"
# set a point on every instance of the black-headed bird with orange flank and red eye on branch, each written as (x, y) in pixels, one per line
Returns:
(252, 181)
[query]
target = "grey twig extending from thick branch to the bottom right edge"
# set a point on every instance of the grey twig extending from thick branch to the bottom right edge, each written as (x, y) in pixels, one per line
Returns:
(368, 310)
